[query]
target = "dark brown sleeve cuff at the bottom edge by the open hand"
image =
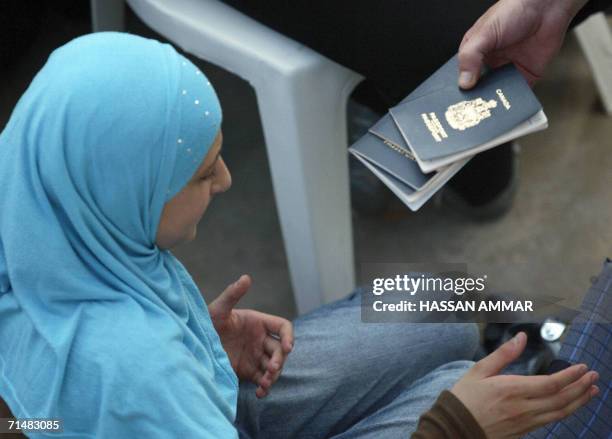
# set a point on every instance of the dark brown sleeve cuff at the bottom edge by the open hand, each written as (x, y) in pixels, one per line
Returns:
(448, 419)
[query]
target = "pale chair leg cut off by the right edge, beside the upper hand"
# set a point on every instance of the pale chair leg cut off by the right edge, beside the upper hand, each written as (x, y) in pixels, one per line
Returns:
(595, 39)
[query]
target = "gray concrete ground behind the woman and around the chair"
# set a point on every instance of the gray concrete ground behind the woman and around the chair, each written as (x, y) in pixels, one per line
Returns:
(552, 241)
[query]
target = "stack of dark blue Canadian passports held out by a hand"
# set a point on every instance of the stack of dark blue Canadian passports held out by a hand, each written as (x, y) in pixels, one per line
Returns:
(426, 139)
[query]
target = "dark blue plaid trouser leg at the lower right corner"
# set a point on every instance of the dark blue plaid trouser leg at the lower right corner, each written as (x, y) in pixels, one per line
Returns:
(589, 341)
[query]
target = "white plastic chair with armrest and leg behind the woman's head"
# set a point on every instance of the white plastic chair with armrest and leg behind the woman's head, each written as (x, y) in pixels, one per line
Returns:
(302, 99)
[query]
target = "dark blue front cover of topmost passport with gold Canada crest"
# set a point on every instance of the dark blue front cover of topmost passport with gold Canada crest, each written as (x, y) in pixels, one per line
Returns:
(449, 120)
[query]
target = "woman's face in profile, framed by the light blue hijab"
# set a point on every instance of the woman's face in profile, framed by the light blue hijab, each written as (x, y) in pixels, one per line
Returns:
(181, 215)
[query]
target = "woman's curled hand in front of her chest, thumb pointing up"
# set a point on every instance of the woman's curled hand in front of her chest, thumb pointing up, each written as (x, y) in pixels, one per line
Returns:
(257, 344)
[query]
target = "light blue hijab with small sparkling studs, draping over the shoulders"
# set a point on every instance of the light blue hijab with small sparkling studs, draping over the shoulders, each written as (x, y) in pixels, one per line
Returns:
(98, 326)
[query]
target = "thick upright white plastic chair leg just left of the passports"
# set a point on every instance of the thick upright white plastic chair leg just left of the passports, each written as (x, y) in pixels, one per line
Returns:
(304, 123)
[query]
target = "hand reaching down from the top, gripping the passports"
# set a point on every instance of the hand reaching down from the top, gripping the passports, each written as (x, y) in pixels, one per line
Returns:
(526, 32)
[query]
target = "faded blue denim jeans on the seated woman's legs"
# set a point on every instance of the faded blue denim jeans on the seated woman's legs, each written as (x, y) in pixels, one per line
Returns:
(348, 379)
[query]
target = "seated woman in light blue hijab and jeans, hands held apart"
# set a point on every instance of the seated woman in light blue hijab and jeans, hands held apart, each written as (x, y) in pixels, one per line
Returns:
(109, 160)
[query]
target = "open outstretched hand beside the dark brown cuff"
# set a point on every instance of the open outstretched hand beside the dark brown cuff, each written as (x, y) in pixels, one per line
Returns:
(508, 406)
